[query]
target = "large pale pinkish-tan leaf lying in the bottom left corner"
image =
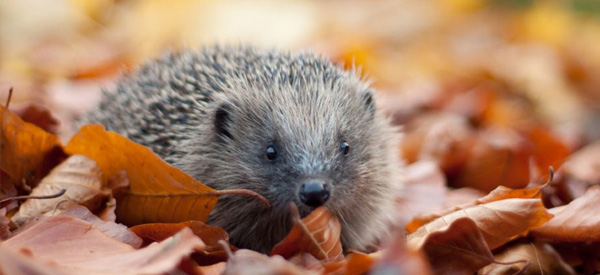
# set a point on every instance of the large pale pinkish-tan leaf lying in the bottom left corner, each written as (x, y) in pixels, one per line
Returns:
(77, 247)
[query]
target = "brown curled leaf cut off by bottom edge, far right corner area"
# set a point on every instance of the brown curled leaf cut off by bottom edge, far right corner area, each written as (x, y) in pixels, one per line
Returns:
(528, 258)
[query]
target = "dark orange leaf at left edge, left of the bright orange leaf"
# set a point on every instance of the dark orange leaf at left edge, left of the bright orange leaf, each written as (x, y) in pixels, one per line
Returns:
(28, 152)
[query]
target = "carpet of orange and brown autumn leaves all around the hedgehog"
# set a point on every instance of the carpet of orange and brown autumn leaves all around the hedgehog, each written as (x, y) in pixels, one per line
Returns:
(498, 101)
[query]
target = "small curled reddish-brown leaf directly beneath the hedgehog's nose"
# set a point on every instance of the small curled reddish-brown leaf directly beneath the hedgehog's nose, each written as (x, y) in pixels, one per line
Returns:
(317, 234)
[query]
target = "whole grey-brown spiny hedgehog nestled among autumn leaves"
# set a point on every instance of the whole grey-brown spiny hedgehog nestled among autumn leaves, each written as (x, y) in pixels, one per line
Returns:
(274, 123)
